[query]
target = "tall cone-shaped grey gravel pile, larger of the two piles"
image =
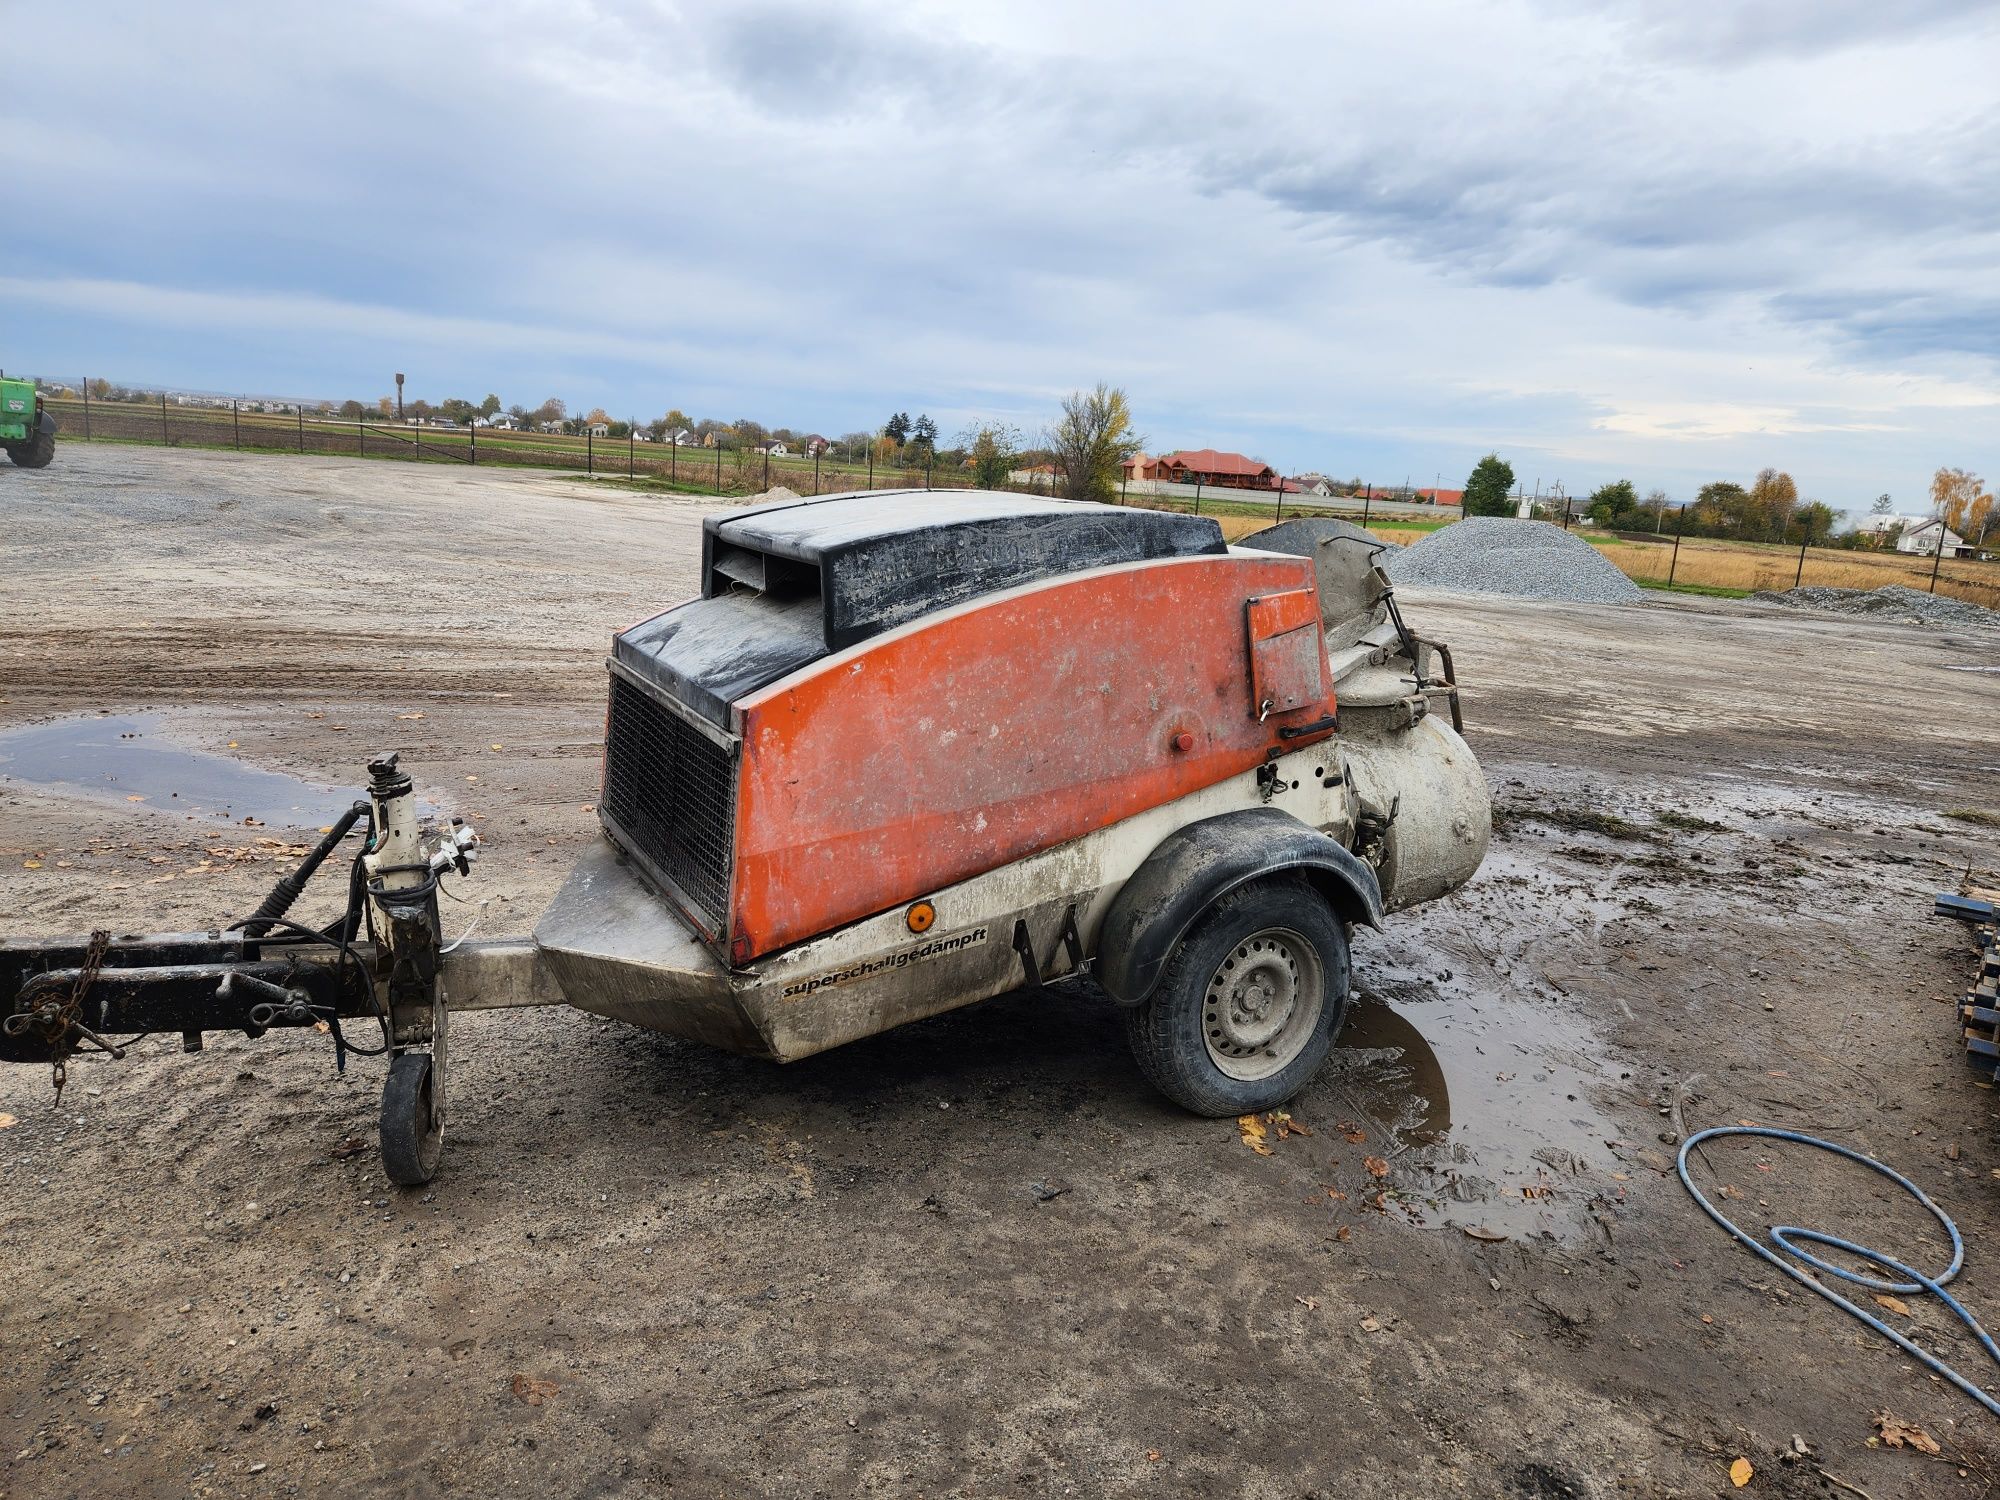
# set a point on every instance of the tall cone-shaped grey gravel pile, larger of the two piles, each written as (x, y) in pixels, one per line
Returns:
(1525, 559)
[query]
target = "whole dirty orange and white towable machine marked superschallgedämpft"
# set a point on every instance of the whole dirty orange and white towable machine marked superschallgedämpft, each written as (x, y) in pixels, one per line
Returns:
(907, 751)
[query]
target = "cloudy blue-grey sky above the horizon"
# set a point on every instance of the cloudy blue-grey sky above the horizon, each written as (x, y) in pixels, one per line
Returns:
(1657, 241)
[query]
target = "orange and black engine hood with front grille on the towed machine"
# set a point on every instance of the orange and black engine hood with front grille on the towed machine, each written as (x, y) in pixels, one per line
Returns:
(879, 699)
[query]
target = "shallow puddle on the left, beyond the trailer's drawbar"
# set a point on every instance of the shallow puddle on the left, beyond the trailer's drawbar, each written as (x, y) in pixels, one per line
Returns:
(127, 759)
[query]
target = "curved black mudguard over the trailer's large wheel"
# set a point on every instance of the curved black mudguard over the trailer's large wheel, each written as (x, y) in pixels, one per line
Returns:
(1205, 861)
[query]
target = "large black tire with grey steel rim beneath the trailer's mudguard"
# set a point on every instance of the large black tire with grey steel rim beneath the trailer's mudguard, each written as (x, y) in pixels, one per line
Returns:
(1195, 1035)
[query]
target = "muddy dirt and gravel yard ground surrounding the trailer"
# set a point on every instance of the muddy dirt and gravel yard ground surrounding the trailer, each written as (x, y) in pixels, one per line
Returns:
(979, 1257)
